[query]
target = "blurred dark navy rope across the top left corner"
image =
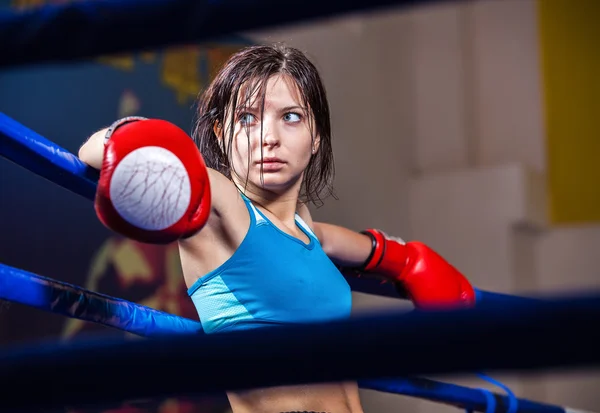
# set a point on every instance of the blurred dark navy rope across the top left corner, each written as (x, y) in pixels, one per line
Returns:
(76, 30)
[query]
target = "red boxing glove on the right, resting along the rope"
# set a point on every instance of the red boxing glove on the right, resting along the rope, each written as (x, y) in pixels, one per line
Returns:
(429, 280)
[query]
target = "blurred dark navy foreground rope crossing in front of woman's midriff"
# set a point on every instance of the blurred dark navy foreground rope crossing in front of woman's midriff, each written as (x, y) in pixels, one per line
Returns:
(490, 337)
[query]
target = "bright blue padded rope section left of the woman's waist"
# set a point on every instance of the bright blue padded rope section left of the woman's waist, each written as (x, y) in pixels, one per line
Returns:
(62, 298)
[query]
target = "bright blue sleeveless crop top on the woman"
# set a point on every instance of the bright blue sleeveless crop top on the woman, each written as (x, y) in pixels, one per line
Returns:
(272, 278)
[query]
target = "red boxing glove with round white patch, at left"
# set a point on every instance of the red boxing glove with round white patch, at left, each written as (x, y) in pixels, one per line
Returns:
(154, 186)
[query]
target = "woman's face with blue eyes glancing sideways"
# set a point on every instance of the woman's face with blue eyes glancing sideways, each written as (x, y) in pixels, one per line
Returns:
(287, 144)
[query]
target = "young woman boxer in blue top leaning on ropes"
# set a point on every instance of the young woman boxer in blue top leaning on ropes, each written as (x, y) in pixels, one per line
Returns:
(250, 252)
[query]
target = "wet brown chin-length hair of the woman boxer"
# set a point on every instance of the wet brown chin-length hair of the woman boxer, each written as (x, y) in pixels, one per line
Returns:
(246, 74)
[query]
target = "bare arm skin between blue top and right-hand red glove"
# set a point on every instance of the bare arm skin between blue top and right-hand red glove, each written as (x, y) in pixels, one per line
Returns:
(343, 246)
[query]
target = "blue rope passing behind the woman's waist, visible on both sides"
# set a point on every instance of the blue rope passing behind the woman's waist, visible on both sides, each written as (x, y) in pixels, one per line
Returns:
(62, 298)
